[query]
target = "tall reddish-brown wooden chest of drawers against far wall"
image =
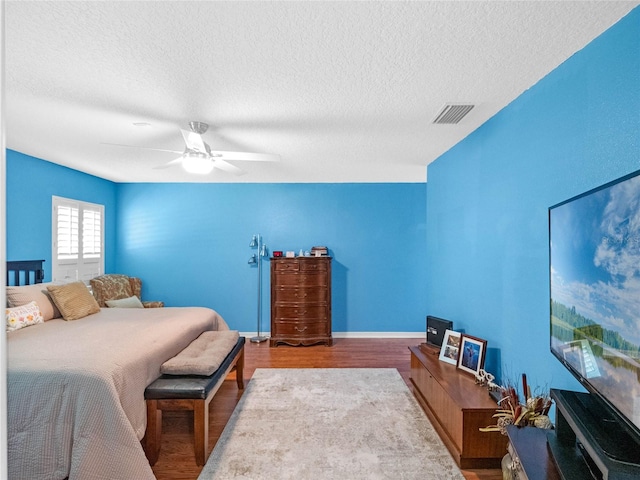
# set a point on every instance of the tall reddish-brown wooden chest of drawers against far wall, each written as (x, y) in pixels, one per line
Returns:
(301, 301)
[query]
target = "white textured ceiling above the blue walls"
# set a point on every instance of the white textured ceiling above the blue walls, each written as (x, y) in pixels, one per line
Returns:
(342, 91)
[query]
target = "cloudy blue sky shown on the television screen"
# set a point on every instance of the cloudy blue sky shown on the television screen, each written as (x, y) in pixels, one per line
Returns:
(595, 262)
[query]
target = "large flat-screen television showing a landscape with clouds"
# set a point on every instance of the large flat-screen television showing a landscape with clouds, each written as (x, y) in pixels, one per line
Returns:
(594, 243)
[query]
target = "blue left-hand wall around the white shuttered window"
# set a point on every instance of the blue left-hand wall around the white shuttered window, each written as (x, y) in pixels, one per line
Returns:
(30, 184)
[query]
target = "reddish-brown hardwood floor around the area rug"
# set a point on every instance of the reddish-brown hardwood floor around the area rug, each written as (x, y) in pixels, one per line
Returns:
(177, 459)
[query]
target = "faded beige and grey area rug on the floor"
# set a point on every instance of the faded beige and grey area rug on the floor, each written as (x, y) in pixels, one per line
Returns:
(326, 424)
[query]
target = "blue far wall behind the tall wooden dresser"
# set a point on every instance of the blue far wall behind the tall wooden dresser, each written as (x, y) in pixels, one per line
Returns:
(190, 243)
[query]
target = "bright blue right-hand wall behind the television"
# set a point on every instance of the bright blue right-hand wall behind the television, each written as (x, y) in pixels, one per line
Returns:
(488, 198)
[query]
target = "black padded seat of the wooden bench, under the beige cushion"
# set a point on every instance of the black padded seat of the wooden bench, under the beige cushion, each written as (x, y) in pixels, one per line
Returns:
(190, 386)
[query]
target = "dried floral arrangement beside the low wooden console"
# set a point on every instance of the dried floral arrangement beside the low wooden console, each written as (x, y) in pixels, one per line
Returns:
(532, 412)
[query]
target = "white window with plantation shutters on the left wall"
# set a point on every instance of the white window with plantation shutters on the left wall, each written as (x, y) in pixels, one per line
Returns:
(78, 240)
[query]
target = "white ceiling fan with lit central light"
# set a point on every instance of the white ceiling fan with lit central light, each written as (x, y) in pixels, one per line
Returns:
(198, 158)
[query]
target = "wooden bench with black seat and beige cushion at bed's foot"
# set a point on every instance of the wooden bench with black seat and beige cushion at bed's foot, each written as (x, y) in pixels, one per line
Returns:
(188, 391)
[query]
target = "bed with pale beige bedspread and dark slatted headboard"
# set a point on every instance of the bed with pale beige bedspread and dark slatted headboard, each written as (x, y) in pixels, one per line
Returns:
(75, 389)
